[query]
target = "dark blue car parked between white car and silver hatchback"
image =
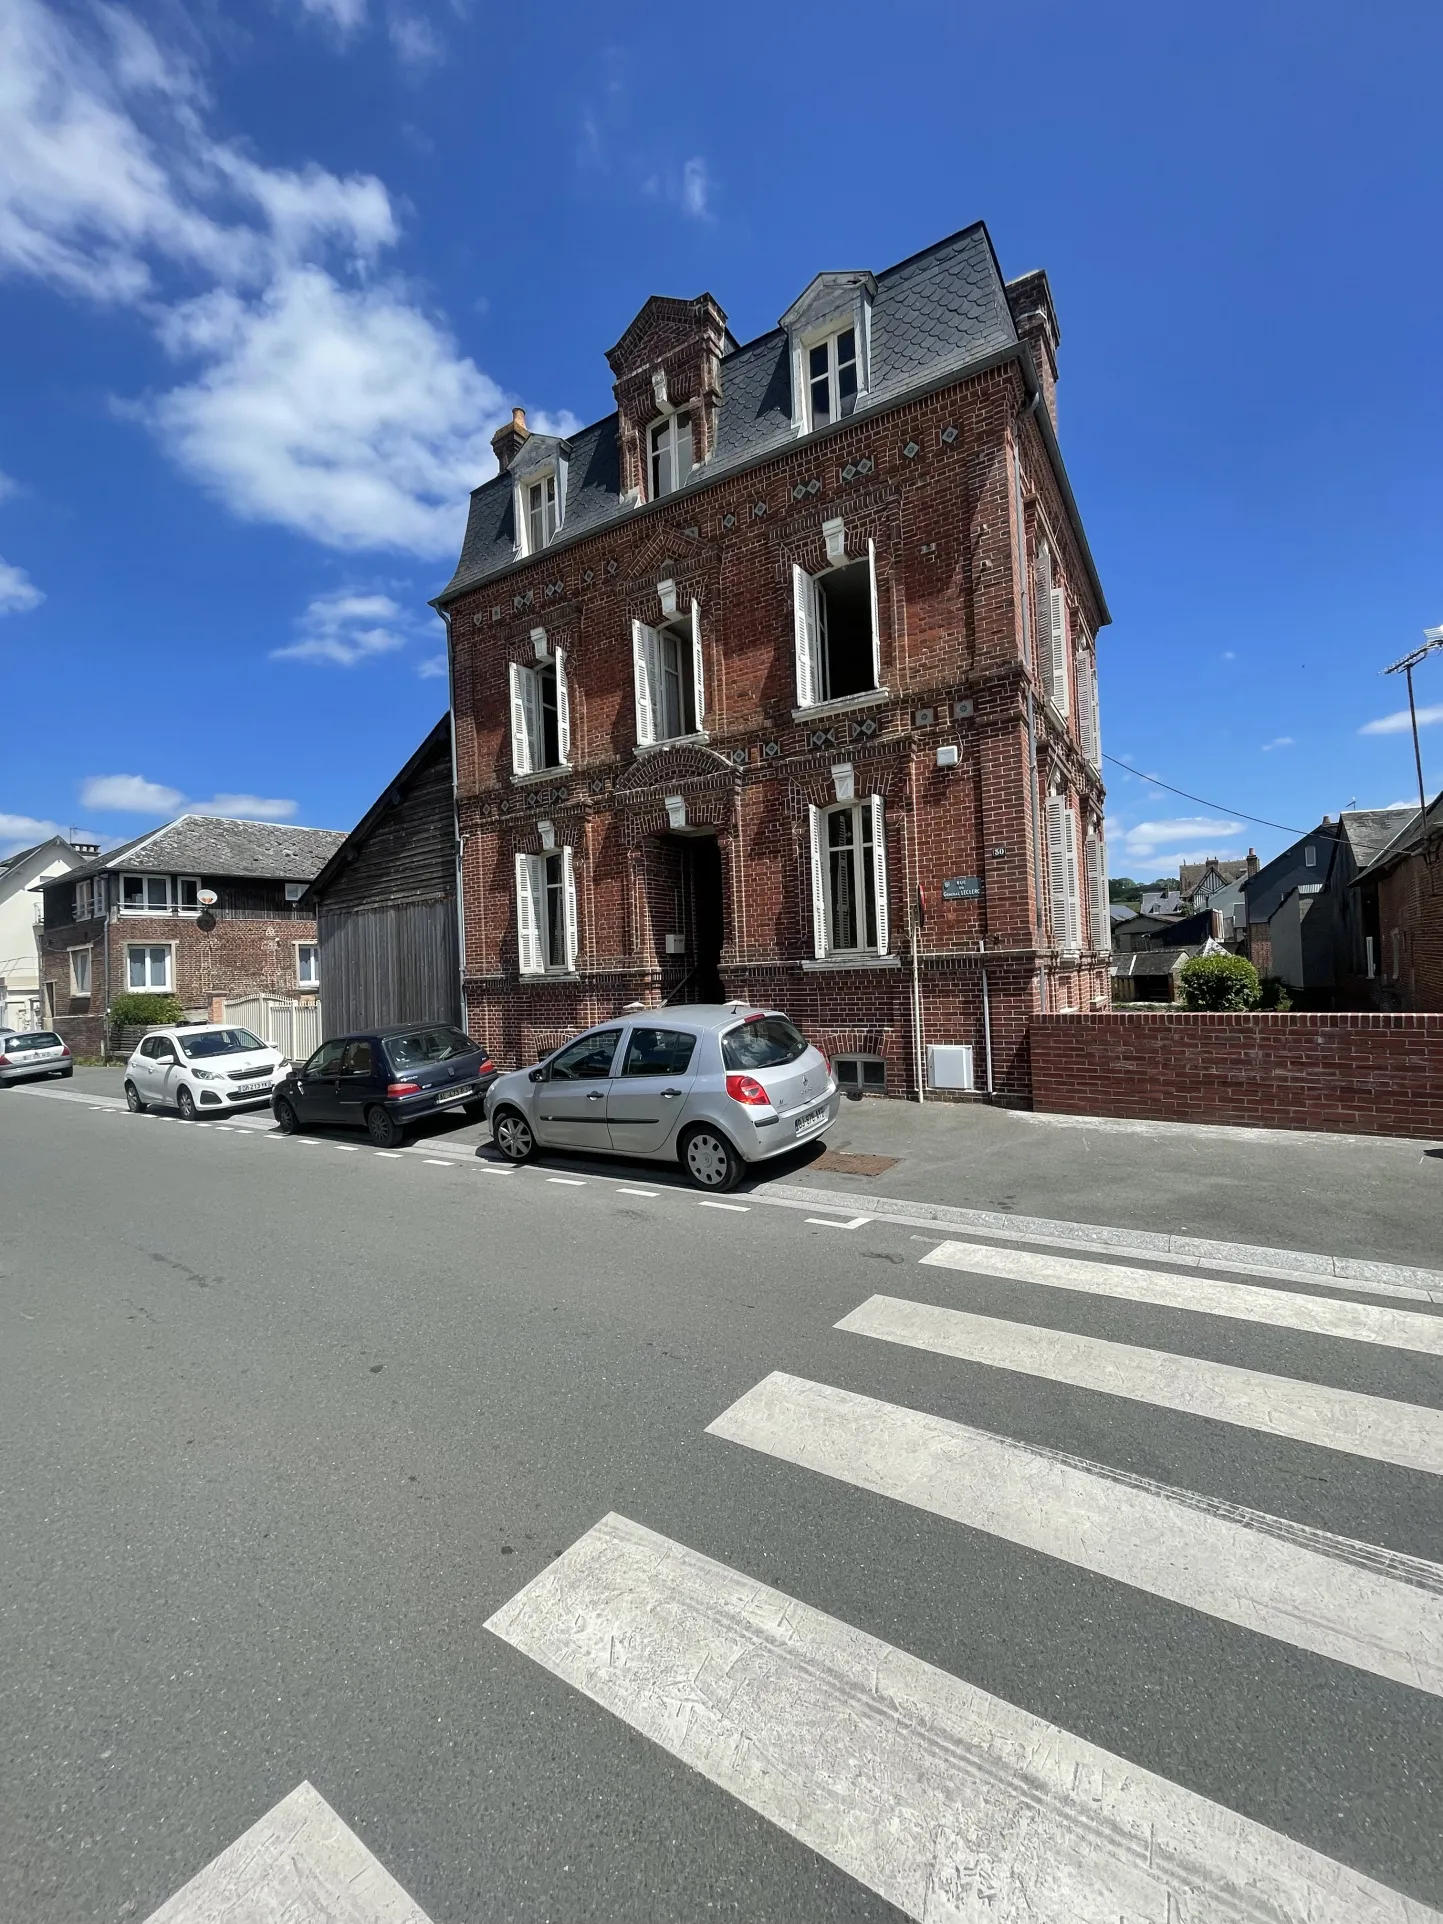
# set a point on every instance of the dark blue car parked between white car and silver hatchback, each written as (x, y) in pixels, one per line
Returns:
(384, 1082)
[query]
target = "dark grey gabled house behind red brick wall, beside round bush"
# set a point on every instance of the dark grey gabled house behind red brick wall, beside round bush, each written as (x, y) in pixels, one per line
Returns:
(1305, 921)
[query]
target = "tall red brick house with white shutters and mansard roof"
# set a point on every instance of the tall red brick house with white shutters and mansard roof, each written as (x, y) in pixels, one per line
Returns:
(780, 684)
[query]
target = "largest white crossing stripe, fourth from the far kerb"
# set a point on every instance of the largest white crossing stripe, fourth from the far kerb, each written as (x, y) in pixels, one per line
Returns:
(930, 1792)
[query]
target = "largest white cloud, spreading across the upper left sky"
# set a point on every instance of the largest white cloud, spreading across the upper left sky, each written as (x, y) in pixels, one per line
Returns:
(320, 395)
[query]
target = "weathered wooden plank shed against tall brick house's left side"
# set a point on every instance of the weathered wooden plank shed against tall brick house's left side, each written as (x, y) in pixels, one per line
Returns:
(386, 903)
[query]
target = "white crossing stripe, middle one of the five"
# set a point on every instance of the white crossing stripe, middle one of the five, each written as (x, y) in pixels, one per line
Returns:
(1352, 1602)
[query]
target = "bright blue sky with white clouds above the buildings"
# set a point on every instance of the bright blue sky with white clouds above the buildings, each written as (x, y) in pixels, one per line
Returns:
(272, 274)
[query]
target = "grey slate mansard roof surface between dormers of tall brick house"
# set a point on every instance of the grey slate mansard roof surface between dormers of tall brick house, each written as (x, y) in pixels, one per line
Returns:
(940, 313)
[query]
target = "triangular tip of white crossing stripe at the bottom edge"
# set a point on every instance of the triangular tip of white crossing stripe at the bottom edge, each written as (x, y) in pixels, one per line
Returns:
(299, 1865)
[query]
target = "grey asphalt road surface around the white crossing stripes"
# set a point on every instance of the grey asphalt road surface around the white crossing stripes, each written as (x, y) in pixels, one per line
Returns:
(286, 1423)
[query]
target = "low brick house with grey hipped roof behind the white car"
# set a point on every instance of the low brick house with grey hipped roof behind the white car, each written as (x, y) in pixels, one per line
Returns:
(134, 919)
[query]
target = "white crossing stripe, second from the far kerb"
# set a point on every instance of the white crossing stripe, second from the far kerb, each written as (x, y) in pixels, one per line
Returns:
(1402, 1434)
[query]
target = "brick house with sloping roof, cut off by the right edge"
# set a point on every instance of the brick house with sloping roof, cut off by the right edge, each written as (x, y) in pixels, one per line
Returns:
(1402, 903)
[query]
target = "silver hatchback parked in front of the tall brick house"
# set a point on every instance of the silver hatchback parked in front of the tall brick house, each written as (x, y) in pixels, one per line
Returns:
(713, 1088)
